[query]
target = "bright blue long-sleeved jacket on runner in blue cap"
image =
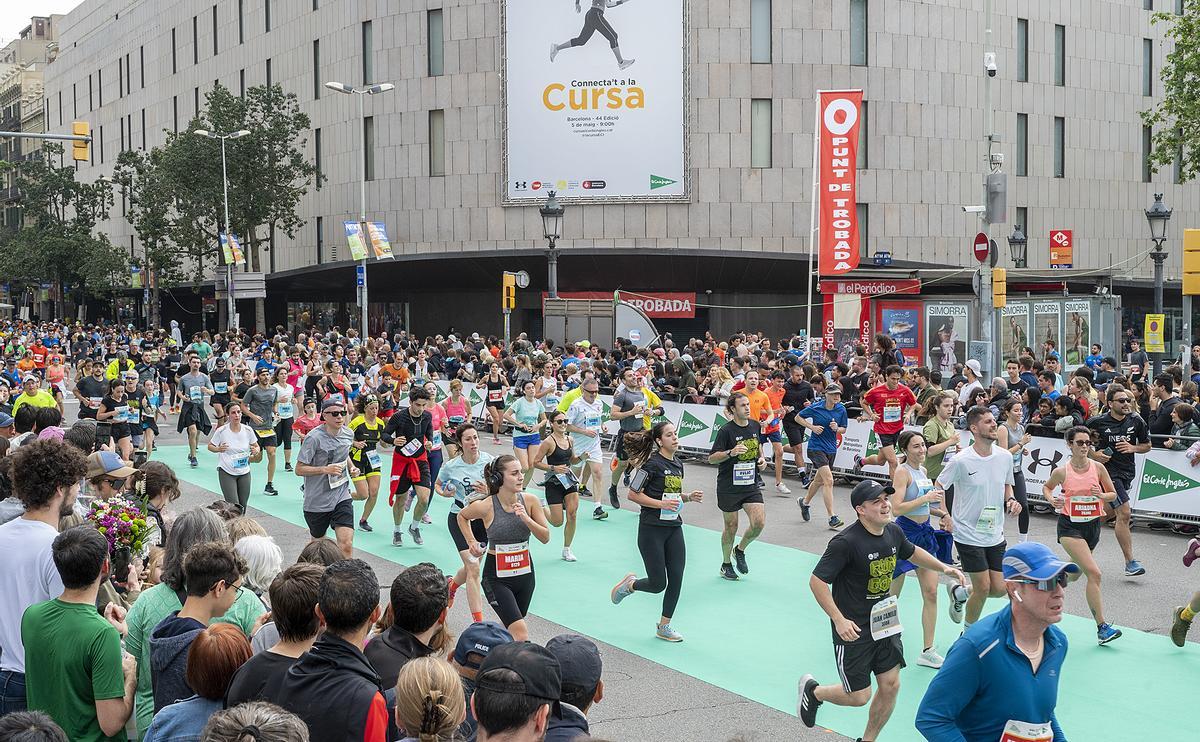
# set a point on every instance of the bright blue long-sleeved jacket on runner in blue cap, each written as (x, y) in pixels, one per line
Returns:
(986, 681)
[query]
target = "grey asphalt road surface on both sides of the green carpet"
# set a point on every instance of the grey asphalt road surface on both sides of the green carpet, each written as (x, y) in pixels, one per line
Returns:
(645, 701)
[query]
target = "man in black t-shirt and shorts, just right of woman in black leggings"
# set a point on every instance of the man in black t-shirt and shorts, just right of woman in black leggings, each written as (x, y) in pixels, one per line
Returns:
(737, 453)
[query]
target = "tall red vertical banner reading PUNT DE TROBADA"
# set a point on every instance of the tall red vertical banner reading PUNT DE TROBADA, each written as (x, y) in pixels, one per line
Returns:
(839, 115)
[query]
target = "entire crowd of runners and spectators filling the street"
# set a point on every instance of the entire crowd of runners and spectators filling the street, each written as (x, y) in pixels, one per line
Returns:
(333, 406)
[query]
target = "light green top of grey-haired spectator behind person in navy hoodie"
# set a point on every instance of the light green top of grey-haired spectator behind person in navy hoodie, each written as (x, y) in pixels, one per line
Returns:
(148, 612)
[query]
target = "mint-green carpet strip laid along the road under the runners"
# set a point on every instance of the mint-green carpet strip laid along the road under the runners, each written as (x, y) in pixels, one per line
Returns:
(758, 637)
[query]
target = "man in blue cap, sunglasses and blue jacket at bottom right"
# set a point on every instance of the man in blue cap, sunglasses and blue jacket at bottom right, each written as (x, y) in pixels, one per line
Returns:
(1000, 681)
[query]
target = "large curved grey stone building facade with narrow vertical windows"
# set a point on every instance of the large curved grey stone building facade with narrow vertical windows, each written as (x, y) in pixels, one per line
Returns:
(1072, 80)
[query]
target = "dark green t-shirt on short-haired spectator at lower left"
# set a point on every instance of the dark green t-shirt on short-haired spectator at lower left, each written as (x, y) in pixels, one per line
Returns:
(73, 660)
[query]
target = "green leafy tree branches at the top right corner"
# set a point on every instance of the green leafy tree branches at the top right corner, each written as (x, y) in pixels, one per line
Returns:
(1177, 119)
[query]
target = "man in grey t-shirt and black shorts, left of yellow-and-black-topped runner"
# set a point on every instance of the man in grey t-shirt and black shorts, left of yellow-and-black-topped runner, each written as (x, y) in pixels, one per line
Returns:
(325, 463)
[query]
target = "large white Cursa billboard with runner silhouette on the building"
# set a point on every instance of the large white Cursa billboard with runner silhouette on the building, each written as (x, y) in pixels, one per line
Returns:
(595, 100)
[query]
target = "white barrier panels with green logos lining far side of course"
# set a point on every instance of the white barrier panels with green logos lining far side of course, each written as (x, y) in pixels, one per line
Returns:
(1166, 486)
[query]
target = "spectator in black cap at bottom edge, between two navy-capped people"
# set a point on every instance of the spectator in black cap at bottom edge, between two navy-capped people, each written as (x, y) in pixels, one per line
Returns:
(517, 692)
